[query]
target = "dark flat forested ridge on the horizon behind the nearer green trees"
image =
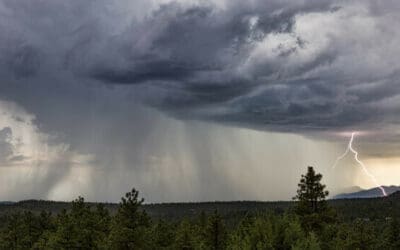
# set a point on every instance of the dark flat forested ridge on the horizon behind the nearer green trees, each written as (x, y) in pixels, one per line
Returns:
(349, 208)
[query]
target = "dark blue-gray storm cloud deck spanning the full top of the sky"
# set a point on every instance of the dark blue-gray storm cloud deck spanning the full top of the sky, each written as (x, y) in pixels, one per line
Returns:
(276, 65)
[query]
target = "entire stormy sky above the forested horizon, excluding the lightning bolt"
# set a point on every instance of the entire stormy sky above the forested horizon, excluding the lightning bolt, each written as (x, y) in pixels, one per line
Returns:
(195, 100)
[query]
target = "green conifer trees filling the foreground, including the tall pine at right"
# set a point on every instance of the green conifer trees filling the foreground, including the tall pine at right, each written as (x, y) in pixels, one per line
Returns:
(310, 224)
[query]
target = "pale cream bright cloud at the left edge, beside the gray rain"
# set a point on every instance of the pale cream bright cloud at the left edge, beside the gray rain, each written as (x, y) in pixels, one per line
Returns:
(31, 163)
